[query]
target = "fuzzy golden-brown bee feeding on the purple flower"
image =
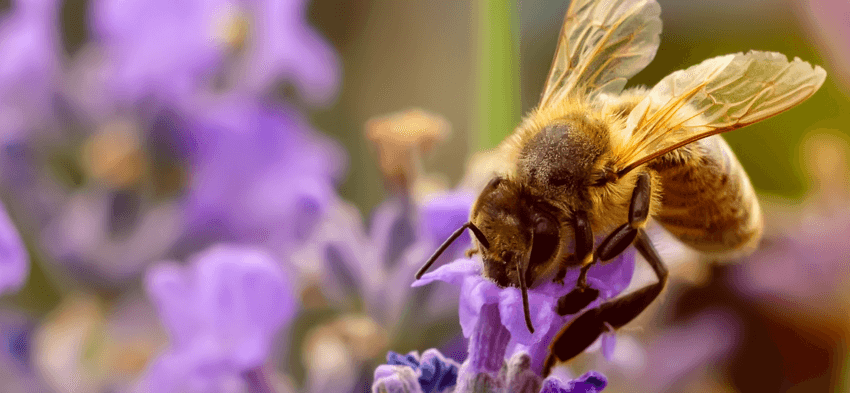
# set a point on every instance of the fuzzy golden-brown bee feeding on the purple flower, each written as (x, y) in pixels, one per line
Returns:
(594, 158)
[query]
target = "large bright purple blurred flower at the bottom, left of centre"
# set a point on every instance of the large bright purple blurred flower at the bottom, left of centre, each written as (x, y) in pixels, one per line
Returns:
(222, 313)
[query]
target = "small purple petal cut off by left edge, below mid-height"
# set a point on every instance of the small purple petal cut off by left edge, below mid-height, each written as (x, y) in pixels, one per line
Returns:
(14, 260)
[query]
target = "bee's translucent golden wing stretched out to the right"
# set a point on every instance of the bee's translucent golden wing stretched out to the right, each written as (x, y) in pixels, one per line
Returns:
(718, 95)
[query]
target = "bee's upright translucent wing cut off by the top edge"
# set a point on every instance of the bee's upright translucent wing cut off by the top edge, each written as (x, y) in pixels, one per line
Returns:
(601, 45)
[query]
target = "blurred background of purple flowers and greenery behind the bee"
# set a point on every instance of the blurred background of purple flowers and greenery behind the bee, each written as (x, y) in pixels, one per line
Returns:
(158, 158)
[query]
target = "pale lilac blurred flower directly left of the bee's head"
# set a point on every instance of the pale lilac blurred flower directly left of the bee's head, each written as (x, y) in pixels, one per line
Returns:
(378, 267)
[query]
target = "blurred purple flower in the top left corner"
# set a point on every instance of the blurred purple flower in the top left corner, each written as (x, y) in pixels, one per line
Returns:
(29, 72)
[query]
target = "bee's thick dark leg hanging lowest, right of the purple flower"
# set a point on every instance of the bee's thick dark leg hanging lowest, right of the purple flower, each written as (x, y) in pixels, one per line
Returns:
(584, 330)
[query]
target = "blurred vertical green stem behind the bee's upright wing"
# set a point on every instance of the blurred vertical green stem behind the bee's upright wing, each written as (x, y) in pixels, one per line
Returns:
(498, 106)
